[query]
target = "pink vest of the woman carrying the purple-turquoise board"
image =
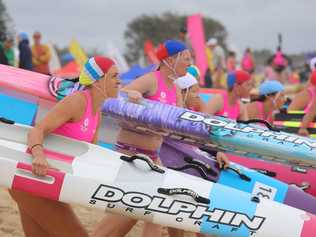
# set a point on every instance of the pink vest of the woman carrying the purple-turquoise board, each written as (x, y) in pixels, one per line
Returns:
(164, 94)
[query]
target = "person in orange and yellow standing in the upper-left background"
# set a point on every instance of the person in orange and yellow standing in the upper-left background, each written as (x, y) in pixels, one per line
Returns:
(40, 55)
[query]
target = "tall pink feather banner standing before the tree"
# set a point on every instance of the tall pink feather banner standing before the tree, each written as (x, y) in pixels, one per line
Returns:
(196, 35)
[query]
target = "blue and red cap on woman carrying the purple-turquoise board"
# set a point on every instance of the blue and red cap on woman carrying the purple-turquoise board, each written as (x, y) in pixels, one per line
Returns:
(170, 48)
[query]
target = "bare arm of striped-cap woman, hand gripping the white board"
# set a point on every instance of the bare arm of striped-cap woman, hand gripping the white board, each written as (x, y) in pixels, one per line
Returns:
(64, 111)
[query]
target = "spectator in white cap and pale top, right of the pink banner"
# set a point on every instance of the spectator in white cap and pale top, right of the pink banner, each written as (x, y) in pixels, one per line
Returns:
(218, 61)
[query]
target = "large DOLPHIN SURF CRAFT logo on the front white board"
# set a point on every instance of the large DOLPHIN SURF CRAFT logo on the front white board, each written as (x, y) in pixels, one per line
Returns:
(180, 210)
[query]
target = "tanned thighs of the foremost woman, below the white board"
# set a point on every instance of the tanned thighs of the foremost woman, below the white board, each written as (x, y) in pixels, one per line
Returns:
(55, 218)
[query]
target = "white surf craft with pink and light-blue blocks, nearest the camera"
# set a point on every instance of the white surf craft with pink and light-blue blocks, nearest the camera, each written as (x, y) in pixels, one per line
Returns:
(99, 178)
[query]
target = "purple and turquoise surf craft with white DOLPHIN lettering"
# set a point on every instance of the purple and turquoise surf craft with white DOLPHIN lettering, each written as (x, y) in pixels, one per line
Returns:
(212, 131)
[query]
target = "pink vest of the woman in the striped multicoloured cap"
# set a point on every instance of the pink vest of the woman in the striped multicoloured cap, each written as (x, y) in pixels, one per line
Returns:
(84, 129)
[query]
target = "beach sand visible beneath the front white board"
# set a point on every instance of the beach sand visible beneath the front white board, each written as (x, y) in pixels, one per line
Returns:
(10, 225)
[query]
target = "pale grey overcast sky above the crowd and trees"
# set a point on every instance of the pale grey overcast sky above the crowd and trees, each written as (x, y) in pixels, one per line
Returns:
(253, 23)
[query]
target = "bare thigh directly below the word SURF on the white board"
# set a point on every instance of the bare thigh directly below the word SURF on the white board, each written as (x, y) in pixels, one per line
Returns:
(114, 226)
